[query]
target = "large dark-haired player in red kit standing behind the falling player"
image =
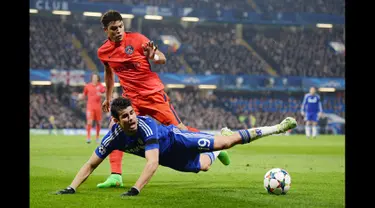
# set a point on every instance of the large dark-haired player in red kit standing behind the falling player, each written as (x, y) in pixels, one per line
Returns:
(127, 54)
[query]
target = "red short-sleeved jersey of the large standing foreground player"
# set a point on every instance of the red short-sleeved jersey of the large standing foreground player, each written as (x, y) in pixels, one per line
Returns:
(130, 65)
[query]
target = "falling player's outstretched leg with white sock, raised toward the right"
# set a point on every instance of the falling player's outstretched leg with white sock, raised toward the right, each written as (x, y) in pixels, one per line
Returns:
(248, 135)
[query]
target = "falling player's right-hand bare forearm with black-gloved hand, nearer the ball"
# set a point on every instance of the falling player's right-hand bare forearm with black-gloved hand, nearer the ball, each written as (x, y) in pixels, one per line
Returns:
(152, 164)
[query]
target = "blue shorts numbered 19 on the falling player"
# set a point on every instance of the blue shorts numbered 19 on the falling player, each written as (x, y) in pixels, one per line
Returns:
(184, 153)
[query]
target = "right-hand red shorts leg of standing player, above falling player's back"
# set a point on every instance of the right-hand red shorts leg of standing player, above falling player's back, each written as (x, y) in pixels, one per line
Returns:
(158, 106)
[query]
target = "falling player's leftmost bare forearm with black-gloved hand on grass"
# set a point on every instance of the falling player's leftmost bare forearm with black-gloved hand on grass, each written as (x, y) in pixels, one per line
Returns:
(82, 174)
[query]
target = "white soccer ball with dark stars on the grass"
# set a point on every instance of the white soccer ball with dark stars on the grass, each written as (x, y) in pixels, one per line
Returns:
(277, 181)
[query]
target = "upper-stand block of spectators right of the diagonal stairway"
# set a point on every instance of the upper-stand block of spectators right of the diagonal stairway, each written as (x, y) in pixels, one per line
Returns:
(297, 52)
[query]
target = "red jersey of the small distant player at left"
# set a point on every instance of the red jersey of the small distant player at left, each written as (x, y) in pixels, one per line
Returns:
(93, 92)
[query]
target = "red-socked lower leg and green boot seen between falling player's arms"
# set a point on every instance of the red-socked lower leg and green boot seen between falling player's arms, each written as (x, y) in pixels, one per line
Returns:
(115, 160)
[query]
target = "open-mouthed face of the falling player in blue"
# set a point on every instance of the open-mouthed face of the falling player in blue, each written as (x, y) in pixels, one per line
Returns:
(128, 120)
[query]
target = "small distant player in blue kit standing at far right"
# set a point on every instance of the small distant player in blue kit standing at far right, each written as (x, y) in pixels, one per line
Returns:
(312, 109)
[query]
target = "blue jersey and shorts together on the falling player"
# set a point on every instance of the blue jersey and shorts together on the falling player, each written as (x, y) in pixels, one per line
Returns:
(178, 149)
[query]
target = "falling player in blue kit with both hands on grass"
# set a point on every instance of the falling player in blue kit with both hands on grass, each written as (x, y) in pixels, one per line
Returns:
(181, 150)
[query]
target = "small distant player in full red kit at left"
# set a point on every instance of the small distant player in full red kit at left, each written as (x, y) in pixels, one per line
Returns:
(93, 91)
